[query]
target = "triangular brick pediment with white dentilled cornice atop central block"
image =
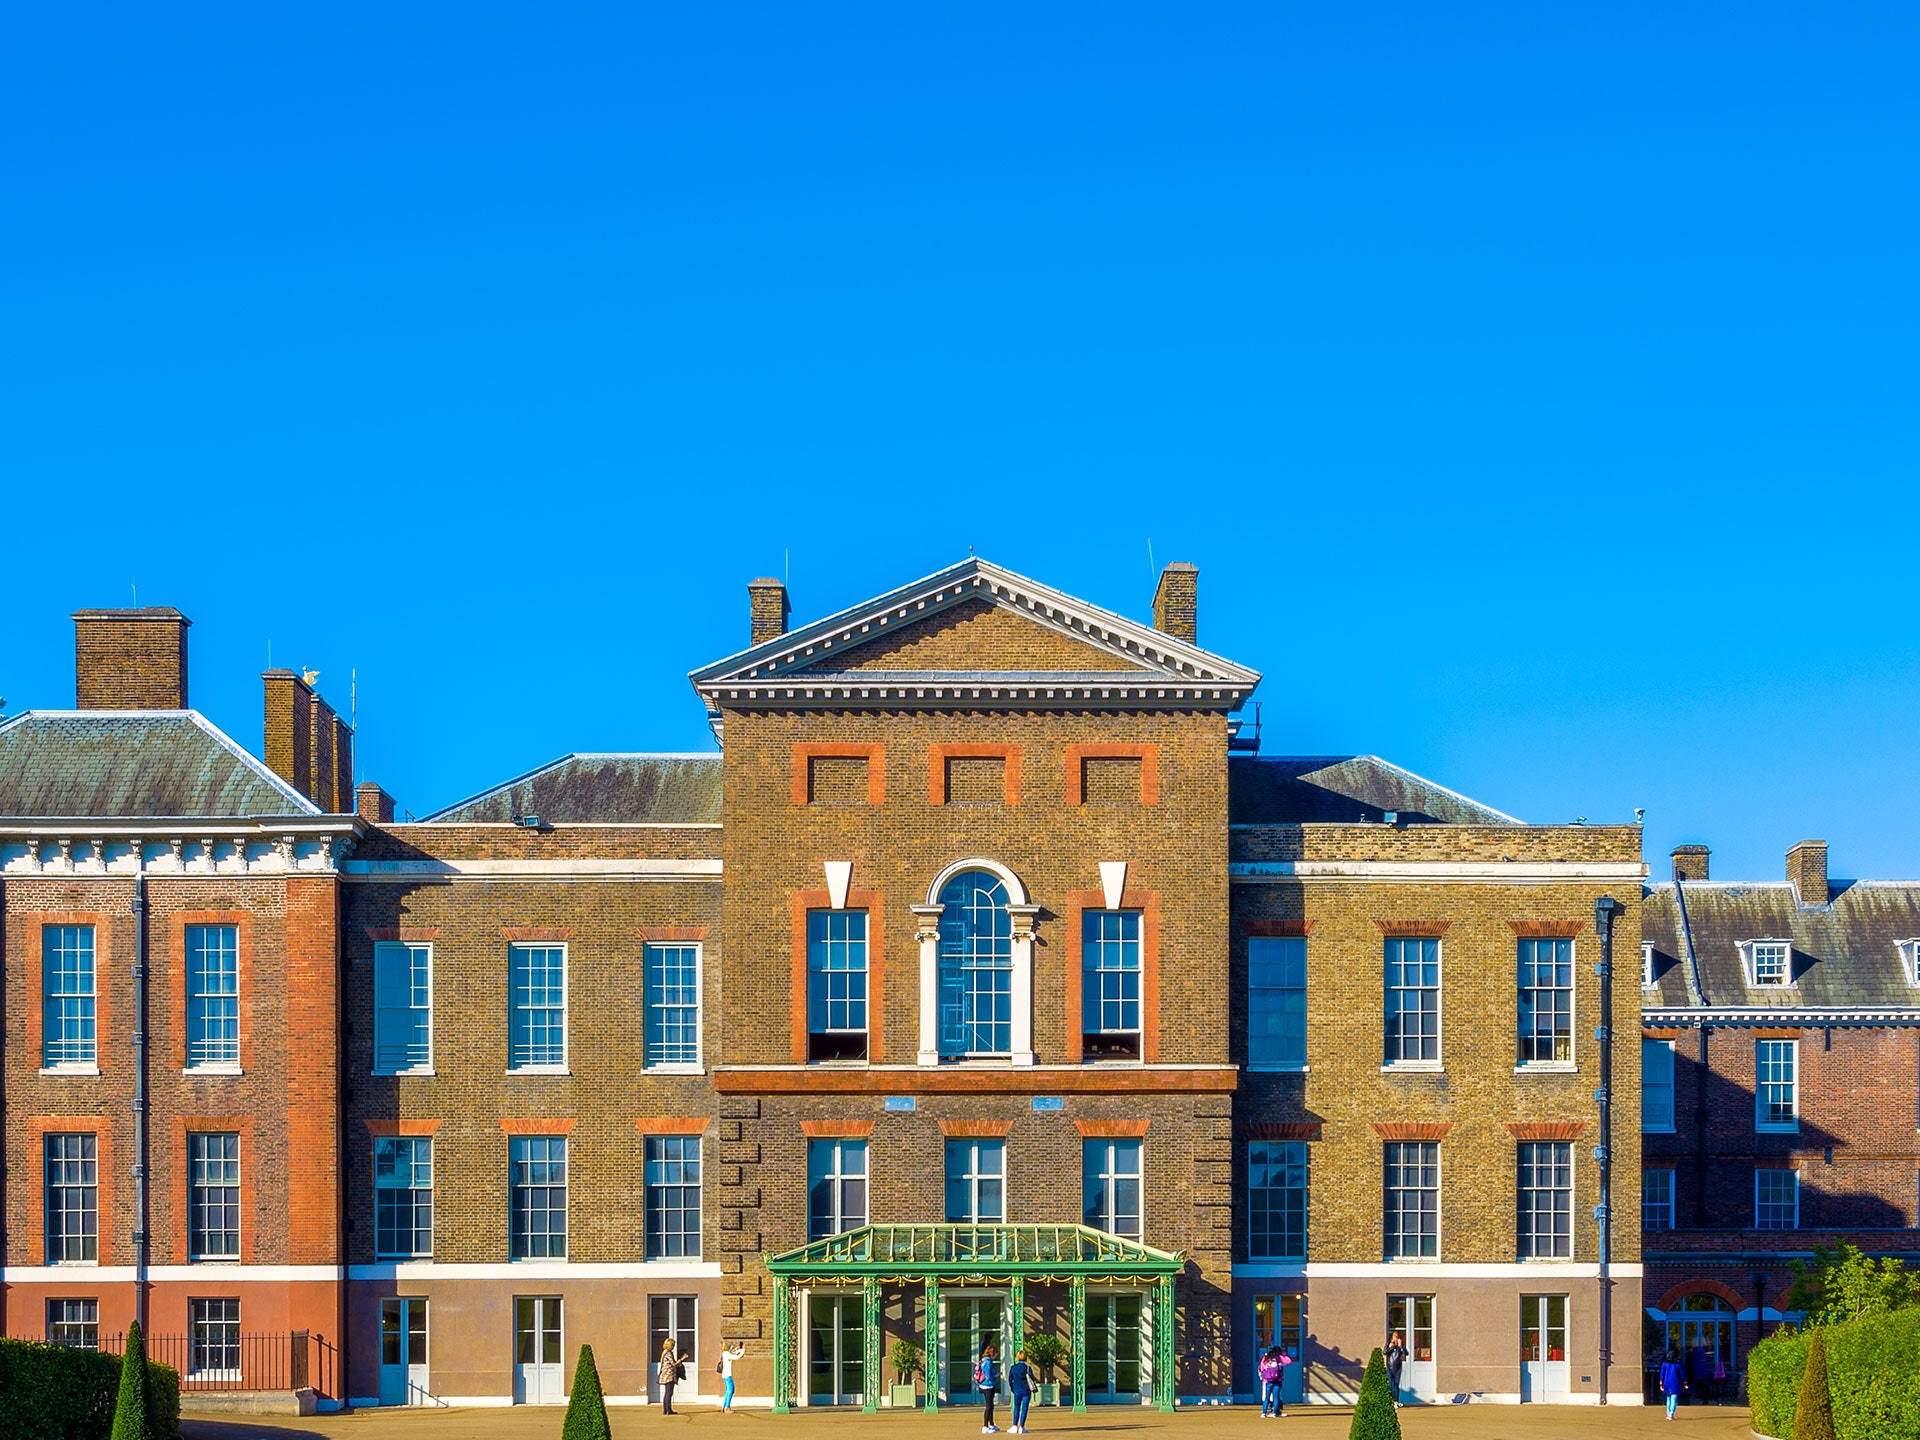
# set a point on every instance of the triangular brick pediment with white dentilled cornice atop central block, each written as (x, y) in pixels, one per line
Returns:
(976, 635)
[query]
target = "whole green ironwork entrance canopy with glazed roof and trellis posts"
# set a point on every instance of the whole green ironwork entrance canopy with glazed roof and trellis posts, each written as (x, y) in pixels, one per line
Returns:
(934, 1257)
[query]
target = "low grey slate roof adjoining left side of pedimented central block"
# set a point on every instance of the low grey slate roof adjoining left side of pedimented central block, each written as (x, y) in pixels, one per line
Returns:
(610, 790)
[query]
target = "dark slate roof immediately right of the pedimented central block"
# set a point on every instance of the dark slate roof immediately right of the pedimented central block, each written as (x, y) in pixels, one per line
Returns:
(1289, 790)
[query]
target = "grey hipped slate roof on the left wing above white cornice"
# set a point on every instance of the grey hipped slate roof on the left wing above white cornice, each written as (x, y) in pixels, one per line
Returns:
(133, 765)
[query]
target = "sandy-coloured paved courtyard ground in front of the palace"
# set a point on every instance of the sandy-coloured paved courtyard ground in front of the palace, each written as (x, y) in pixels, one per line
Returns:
(1201, 1424)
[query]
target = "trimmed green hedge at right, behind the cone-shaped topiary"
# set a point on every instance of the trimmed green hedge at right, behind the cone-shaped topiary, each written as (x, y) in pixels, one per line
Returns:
(1871, 1378)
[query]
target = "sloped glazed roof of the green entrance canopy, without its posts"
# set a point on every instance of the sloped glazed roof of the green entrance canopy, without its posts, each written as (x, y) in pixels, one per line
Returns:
(961, 1251)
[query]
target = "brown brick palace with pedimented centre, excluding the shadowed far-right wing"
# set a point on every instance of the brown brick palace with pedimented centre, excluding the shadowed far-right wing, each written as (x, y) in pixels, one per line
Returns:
(986, 980)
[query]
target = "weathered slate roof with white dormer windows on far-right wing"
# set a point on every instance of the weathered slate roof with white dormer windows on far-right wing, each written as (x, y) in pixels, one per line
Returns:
(1846, 953)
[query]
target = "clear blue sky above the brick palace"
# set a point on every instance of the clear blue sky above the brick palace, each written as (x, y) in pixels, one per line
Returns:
(1533, 385)
